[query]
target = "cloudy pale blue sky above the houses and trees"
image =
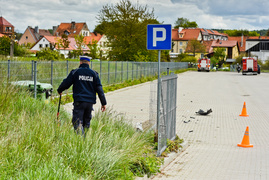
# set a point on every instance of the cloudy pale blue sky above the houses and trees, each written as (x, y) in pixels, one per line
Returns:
(209, 14)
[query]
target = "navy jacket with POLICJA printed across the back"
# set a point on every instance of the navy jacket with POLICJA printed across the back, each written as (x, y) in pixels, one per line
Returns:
(86, 84)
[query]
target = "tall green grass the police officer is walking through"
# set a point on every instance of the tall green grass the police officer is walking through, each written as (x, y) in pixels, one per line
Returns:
(33, 146)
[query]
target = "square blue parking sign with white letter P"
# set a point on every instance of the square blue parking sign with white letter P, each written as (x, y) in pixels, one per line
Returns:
(159, 37)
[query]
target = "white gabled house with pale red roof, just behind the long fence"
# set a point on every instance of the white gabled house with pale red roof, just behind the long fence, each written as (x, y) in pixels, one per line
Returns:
(51, 41)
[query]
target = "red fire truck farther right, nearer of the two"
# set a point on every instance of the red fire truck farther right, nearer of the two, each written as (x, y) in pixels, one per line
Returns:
(250, 65)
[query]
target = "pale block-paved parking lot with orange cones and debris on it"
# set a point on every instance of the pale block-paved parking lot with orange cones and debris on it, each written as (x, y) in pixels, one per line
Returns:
(212, 152)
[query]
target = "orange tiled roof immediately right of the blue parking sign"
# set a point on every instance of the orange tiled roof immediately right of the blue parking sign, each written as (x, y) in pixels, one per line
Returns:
(188, 34)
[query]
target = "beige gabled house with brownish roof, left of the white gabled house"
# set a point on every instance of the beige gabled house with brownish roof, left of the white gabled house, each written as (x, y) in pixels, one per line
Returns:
(32, 35)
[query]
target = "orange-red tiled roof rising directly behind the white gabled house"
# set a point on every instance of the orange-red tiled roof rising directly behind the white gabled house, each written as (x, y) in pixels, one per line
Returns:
(68, 27)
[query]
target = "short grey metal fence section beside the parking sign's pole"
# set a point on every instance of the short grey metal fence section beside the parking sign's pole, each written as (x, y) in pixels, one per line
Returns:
(166, 125)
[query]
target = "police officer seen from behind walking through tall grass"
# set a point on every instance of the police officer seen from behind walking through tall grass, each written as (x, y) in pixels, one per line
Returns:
(86, 84)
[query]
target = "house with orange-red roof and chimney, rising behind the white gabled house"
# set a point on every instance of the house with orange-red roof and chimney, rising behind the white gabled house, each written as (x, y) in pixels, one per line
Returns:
(72, 29)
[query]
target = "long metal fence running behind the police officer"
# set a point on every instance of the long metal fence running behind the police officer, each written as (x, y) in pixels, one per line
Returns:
(110, 72)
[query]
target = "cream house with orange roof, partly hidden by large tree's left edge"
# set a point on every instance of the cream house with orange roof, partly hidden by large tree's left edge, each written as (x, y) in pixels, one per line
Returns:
(102, 43)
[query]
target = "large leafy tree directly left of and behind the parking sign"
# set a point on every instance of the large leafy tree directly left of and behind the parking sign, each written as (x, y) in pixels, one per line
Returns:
(125, 26)
